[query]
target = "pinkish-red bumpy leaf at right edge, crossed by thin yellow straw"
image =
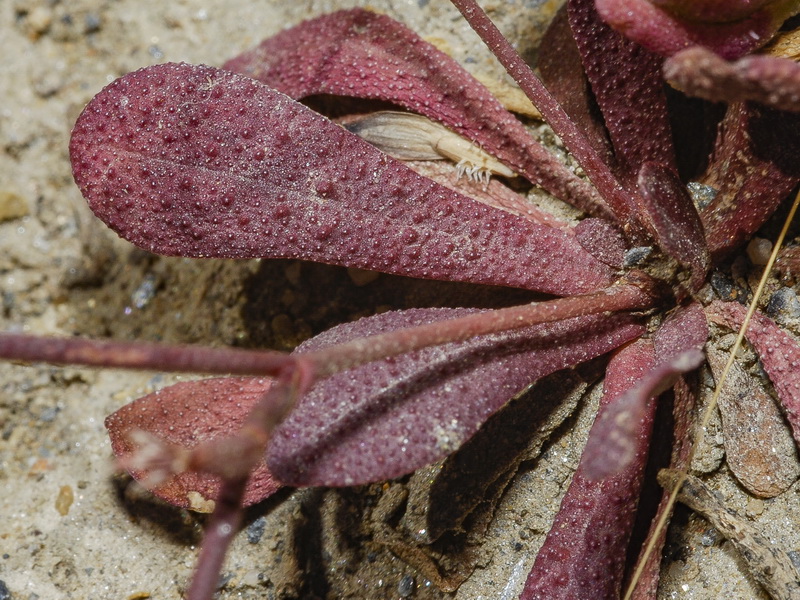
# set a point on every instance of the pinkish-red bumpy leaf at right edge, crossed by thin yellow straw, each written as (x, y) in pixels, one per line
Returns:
(778, 351)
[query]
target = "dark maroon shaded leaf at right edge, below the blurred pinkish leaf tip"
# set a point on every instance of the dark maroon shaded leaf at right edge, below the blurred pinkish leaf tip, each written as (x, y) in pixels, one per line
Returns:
(754, 166)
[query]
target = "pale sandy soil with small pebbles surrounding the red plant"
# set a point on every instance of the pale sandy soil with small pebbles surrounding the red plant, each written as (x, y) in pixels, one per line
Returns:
(69, 528)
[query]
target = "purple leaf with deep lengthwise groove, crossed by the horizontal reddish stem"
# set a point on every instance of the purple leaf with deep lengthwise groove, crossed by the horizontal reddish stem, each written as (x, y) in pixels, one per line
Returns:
(390, 417)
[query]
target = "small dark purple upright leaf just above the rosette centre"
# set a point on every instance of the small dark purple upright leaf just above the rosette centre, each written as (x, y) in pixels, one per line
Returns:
(678, 228)
